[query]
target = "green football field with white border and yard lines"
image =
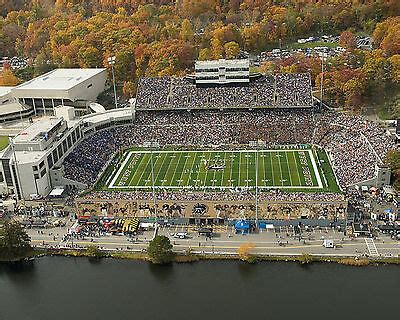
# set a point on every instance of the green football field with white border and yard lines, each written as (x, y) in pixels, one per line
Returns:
(280, 168)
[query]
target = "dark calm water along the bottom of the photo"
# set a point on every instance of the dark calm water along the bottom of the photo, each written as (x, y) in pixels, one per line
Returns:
(75, 288)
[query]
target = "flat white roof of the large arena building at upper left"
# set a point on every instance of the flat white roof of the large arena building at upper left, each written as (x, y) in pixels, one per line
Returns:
(60, 79)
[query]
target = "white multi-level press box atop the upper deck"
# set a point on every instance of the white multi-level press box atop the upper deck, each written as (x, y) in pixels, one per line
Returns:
(222, 71)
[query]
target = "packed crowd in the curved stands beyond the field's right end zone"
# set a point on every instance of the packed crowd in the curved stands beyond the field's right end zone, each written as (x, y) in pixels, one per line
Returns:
(354, 143)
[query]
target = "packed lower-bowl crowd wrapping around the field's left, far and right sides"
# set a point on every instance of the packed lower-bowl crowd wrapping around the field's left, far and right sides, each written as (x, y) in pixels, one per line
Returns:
(355, 144)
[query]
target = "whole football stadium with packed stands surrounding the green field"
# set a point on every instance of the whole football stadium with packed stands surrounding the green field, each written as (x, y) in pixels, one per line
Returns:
(219, 144)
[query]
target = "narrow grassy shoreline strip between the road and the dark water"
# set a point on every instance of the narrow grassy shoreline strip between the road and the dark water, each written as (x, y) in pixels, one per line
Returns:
(191, 257)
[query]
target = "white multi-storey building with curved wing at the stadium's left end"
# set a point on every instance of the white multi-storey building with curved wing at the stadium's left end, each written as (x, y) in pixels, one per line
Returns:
(31, 164)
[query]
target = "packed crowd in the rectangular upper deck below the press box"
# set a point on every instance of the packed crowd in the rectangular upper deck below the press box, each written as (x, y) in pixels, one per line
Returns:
(289, 90)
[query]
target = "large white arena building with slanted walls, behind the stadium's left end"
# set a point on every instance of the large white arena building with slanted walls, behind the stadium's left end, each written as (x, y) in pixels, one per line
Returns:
(73, 87)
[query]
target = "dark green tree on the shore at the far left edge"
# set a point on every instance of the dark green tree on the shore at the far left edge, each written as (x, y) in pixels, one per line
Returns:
(14, 241)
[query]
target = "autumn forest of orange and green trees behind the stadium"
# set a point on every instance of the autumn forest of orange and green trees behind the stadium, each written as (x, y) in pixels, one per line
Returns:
(164, 37)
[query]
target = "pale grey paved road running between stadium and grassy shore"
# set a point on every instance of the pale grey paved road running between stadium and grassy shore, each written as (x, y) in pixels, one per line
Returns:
(226, 242)
